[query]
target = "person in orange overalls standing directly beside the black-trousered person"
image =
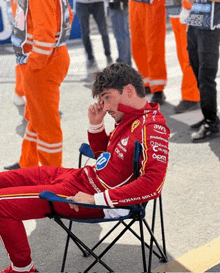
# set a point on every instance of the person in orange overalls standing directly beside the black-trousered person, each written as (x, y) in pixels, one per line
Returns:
(189, 90)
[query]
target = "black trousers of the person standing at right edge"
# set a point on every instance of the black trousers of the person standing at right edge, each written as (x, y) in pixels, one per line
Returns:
(203, 48)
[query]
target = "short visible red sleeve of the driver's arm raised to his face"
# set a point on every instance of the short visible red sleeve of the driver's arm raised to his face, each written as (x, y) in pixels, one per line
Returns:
(98, 142)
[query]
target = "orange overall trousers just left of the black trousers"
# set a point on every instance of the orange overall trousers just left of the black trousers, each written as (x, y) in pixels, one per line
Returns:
(189, 87)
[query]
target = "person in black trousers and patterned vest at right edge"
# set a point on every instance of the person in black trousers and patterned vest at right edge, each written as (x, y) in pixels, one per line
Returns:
(203, 36)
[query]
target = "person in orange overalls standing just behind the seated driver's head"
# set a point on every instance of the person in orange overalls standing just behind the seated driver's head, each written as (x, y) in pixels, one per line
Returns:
(148, 29)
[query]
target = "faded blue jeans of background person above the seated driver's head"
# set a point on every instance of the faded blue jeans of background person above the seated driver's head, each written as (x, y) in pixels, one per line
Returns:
(120, 27)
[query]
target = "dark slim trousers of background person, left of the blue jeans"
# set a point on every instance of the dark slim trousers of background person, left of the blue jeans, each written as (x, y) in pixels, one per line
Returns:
(97, 10)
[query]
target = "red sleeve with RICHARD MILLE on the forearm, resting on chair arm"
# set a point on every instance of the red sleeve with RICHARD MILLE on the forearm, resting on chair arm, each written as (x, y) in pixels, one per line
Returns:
(154, 161)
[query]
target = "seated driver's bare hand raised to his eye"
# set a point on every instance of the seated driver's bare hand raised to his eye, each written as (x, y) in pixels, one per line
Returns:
(96, 113)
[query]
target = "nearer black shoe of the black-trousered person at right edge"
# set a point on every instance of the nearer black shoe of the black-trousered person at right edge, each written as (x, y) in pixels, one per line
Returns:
(206, 132)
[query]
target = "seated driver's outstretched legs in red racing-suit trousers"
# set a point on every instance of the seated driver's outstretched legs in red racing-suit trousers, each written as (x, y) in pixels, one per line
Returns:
(19, 201)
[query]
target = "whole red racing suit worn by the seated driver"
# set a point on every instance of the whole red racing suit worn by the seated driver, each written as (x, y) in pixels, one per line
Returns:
(111, 181)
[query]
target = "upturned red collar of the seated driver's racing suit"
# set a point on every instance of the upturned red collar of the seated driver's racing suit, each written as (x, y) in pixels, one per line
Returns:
(130, 110)
